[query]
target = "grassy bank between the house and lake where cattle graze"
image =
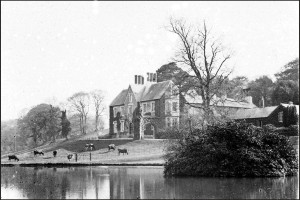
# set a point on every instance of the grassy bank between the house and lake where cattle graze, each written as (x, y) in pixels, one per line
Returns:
(141, 152)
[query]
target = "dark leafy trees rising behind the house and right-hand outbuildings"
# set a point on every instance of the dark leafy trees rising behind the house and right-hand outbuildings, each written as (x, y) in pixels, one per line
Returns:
(263, 89)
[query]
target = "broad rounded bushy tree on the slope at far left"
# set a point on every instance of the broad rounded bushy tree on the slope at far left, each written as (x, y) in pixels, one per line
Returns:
(42, 123)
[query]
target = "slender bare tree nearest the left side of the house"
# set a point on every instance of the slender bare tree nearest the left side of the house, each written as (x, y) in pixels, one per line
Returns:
(98, 98)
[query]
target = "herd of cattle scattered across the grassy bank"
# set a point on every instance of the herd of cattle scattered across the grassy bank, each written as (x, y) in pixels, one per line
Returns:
(88, 147)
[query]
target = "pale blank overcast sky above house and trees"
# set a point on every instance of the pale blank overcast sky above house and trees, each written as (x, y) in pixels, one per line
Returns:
(54, 49)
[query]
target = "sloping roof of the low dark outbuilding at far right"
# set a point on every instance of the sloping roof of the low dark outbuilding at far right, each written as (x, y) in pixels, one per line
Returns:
(254, 113)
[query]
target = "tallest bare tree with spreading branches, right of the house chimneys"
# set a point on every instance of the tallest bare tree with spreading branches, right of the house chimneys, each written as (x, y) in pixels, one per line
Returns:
(205, 59)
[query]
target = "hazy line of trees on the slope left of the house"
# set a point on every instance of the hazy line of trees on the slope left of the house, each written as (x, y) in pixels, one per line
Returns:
(46, 122)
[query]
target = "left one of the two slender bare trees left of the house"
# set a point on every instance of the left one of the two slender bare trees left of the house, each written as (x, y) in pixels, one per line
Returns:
(80, 103)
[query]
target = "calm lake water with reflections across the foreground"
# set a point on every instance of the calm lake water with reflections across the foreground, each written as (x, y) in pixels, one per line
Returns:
(135, 182)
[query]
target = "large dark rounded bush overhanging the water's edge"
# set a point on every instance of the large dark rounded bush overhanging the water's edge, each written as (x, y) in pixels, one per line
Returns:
(232, 149)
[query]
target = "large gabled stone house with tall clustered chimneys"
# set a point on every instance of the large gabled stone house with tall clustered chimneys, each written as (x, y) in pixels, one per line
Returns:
(156, 104)
